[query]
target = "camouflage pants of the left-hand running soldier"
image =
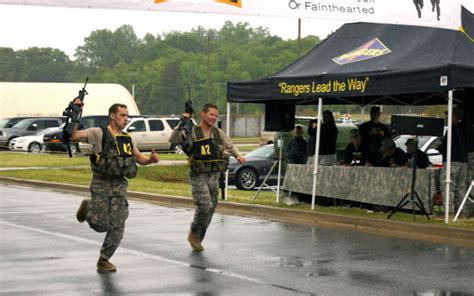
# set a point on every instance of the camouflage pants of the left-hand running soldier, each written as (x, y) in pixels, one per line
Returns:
(107, 211)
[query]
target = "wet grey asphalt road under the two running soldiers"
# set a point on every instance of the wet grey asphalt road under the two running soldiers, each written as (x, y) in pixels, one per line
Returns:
(44, 250)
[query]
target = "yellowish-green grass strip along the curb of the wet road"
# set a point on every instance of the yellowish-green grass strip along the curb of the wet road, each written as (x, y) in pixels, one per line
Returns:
(174, 181)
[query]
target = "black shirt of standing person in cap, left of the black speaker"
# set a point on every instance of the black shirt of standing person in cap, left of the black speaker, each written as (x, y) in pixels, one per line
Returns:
(372, 136)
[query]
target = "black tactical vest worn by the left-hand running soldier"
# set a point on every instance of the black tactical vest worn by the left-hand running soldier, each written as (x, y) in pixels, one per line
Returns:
(116, 158)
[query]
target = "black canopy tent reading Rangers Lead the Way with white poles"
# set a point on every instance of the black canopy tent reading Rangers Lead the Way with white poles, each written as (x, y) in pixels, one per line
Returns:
(365, 63)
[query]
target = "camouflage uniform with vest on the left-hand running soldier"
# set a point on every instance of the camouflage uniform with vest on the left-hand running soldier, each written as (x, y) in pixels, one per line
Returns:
(107, 209)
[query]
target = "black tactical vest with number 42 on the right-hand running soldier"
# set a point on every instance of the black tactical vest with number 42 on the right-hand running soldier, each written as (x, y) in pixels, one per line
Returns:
(207, 153)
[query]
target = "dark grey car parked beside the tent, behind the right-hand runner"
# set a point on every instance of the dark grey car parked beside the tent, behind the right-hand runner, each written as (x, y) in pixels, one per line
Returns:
(253, 172)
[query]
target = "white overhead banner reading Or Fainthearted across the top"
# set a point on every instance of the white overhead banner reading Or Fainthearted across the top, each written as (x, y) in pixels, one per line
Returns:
(433, 13)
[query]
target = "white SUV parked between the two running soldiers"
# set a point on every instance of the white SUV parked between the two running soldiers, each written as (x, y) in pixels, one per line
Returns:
(152, 132)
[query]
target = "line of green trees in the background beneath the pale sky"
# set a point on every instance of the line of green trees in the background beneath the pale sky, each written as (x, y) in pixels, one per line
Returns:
(164, 69)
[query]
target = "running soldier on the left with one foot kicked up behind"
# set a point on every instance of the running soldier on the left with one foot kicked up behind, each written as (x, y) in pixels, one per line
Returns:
(114, 160)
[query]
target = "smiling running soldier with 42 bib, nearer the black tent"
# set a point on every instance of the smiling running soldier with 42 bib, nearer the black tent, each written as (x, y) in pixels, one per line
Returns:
(208, 150)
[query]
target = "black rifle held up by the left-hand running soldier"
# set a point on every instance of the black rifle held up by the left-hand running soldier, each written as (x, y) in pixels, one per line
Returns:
(73, 114)
